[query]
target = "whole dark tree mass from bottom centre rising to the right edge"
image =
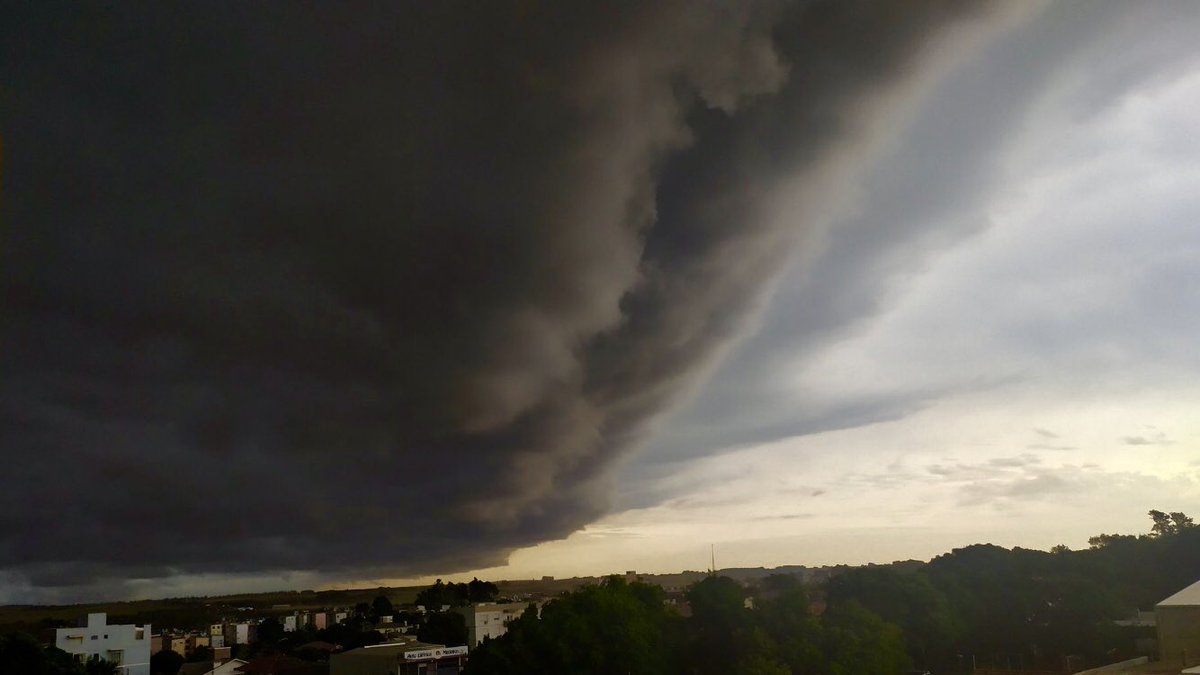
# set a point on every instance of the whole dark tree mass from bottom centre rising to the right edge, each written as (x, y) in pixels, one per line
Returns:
(977, 606)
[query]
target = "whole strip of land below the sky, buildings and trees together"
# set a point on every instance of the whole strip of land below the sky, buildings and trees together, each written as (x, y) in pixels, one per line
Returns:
(1127, 605)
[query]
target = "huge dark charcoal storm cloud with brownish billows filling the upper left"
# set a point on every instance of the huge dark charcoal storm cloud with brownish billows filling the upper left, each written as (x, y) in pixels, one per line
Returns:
(383, 291)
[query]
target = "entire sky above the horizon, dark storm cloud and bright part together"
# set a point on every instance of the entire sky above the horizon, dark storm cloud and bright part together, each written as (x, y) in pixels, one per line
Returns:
(309, 296)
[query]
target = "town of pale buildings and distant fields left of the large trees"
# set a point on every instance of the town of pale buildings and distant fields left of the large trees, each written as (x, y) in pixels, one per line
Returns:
(217, 635)
